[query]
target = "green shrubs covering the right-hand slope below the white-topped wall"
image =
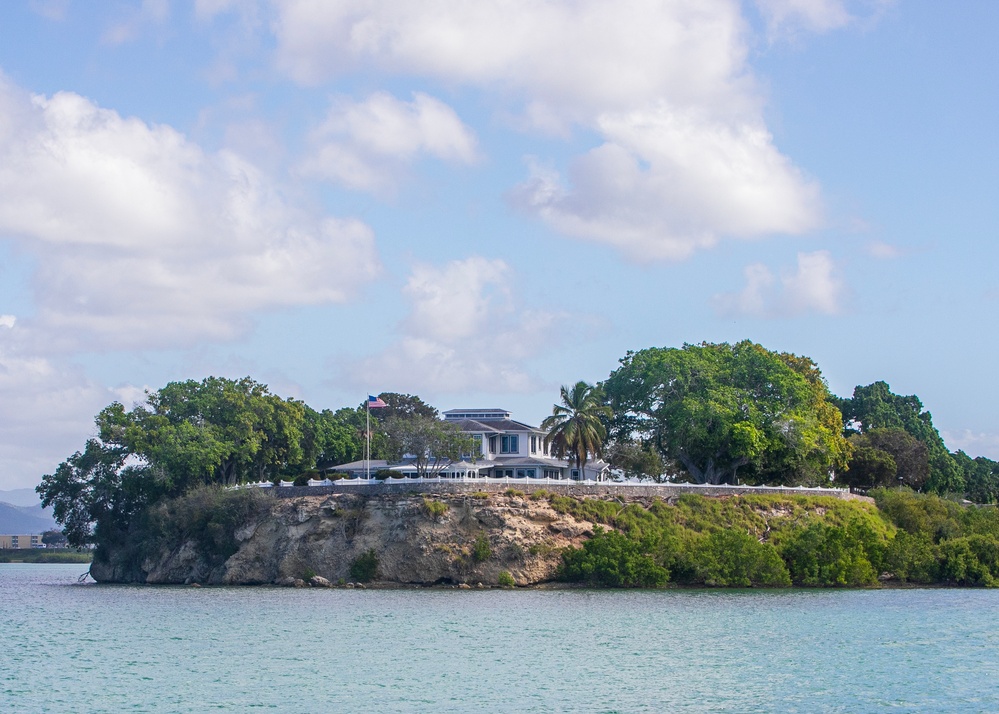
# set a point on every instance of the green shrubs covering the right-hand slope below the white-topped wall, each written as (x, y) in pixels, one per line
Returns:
(776, 541)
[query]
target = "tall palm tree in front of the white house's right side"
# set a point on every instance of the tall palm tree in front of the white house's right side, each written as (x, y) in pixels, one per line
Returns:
(574, 428)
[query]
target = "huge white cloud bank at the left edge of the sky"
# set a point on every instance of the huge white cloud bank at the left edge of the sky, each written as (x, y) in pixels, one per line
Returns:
(143, 239)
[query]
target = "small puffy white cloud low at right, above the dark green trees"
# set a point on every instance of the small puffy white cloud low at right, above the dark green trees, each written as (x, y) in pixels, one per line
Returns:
(814, 287)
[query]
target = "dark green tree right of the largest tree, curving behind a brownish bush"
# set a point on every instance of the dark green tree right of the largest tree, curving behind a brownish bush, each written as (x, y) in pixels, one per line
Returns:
(876, 407)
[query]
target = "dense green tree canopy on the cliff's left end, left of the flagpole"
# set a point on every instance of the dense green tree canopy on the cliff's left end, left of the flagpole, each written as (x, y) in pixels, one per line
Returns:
(213, 432)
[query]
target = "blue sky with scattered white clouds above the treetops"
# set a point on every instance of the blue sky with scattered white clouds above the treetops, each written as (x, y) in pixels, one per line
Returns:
(480, 202)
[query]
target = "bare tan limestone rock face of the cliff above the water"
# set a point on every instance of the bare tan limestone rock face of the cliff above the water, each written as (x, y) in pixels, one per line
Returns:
(416, 539)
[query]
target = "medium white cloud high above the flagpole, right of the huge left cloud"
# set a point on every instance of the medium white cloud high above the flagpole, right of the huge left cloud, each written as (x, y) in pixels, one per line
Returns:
(364, 145)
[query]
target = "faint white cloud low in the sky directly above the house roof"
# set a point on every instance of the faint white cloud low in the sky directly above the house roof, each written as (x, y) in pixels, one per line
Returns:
(464, 332)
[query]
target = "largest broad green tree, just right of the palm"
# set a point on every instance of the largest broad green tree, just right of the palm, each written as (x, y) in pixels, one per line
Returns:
(713, 409)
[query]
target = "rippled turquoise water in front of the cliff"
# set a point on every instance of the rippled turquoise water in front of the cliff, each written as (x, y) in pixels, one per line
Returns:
(96, 648)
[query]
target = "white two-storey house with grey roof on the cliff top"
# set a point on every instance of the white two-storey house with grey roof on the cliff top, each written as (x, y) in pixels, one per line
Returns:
(504, 448)
